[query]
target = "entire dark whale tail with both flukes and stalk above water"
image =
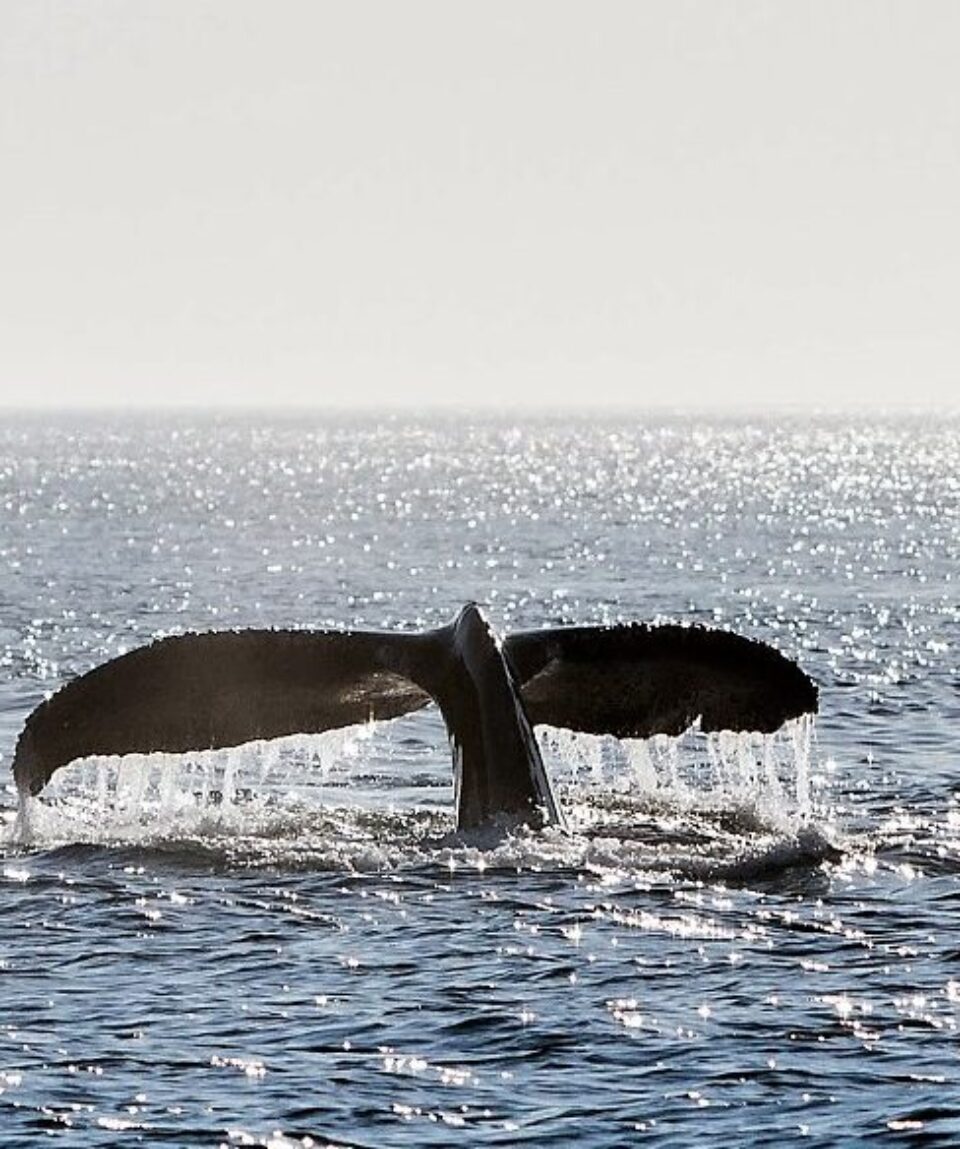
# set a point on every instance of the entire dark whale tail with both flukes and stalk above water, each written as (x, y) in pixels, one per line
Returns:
(224, 689)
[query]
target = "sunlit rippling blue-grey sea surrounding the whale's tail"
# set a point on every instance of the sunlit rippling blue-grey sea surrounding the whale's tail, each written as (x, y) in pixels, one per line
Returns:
(749, 940)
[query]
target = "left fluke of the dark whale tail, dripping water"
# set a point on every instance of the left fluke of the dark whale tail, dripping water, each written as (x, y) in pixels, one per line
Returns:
(213, 691)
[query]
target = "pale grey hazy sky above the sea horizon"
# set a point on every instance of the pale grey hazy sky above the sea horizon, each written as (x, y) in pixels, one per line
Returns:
(531, 203)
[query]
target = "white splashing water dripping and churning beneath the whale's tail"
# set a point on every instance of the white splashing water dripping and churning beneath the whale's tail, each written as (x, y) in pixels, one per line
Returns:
(699, 804)
